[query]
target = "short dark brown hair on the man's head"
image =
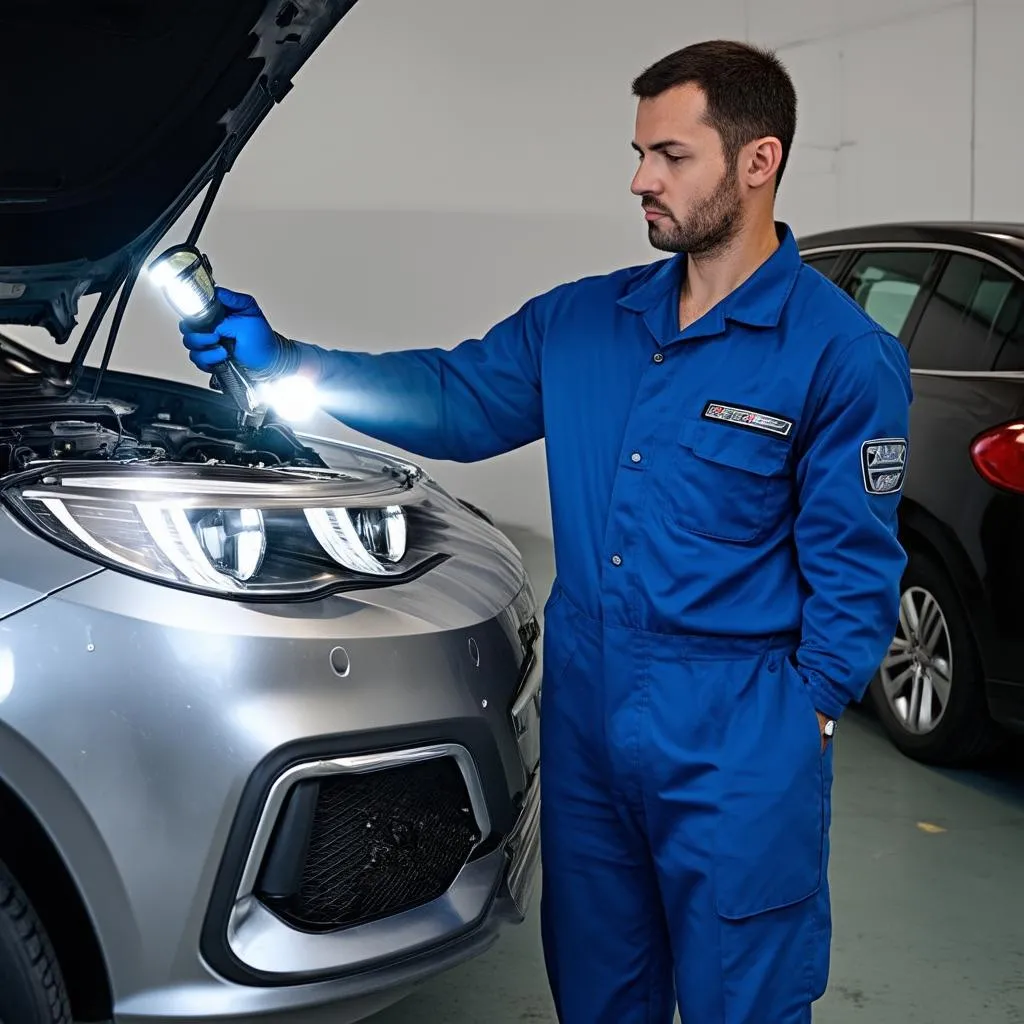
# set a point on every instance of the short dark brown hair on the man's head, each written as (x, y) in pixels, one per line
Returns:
(749, 92)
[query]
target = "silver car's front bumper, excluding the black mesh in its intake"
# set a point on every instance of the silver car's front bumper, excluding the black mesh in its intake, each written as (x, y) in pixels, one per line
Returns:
(151, 730)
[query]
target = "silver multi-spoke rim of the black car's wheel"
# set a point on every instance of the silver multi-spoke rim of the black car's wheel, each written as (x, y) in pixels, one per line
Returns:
(917, 674)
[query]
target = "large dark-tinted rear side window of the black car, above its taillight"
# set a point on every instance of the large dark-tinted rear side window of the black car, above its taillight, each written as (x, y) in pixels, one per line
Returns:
(975, 309)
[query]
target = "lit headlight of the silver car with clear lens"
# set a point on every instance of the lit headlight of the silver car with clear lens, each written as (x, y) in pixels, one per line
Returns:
(254, 534)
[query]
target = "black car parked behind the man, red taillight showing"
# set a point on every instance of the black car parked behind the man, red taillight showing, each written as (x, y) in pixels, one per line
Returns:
(952, 689)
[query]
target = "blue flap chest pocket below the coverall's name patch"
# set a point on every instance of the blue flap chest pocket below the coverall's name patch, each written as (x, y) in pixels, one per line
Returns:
(731, 484)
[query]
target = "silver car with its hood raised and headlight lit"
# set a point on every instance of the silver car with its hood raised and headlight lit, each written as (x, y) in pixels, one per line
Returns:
(269, 704)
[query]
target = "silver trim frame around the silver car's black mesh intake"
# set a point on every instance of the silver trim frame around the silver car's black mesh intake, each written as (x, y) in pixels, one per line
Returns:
(265, 944)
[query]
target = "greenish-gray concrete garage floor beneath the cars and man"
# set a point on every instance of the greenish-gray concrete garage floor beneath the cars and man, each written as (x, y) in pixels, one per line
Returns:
(928, 881)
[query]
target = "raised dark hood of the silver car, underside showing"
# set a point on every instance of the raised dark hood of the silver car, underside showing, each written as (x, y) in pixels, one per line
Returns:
(119, 113)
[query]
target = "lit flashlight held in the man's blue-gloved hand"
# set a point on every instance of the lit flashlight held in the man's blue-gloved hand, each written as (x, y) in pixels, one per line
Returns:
(186, 278)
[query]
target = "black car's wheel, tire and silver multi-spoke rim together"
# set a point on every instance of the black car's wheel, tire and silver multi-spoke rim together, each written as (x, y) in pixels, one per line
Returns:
(932, 702)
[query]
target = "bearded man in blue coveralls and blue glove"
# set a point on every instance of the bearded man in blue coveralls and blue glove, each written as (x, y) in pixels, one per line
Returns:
(727, 435)
